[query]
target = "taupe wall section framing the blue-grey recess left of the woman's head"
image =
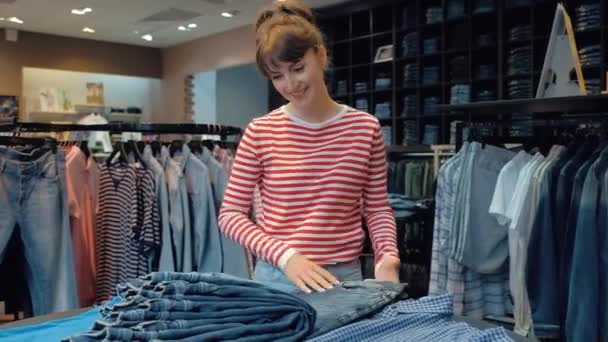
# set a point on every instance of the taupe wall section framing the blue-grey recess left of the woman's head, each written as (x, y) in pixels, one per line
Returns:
(217, 51)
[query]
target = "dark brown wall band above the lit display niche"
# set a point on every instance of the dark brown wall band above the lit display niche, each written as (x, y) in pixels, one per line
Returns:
(64, 53)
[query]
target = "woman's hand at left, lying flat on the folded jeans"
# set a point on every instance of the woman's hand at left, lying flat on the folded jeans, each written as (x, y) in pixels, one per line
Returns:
(307, 275)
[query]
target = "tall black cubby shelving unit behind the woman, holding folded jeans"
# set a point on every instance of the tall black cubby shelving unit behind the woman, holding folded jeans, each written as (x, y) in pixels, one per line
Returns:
(354, 31)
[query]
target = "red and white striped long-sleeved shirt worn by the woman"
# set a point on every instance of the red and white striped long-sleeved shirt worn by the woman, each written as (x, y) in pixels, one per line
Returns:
(313, 179)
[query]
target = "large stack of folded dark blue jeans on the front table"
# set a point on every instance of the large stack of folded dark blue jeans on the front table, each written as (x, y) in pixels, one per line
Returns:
(204, 307)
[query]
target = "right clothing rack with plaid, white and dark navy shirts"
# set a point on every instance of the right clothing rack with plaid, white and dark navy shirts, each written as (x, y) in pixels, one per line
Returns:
(520, 234)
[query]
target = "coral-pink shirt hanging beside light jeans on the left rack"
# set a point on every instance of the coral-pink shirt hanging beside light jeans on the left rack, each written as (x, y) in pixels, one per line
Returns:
(82, 176)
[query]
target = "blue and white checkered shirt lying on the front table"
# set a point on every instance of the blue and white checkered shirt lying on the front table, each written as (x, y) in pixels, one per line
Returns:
(426, 319)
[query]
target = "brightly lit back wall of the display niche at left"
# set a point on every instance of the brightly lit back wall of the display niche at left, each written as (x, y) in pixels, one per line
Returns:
(119, 91)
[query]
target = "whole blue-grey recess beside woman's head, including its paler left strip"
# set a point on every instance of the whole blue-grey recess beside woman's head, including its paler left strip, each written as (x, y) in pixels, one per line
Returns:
(230, 96)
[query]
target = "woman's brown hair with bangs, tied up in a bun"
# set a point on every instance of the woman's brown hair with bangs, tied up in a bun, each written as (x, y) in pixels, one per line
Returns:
(285, 32)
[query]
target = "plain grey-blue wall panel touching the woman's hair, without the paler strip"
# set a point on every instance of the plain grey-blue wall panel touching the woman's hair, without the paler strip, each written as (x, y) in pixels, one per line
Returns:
(242, 94)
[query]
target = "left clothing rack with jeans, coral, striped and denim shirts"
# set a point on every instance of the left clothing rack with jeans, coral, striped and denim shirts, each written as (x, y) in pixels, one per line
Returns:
(153, 203)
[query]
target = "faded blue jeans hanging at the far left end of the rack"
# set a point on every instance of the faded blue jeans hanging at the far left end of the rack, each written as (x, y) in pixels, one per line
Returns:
(34, 198)
